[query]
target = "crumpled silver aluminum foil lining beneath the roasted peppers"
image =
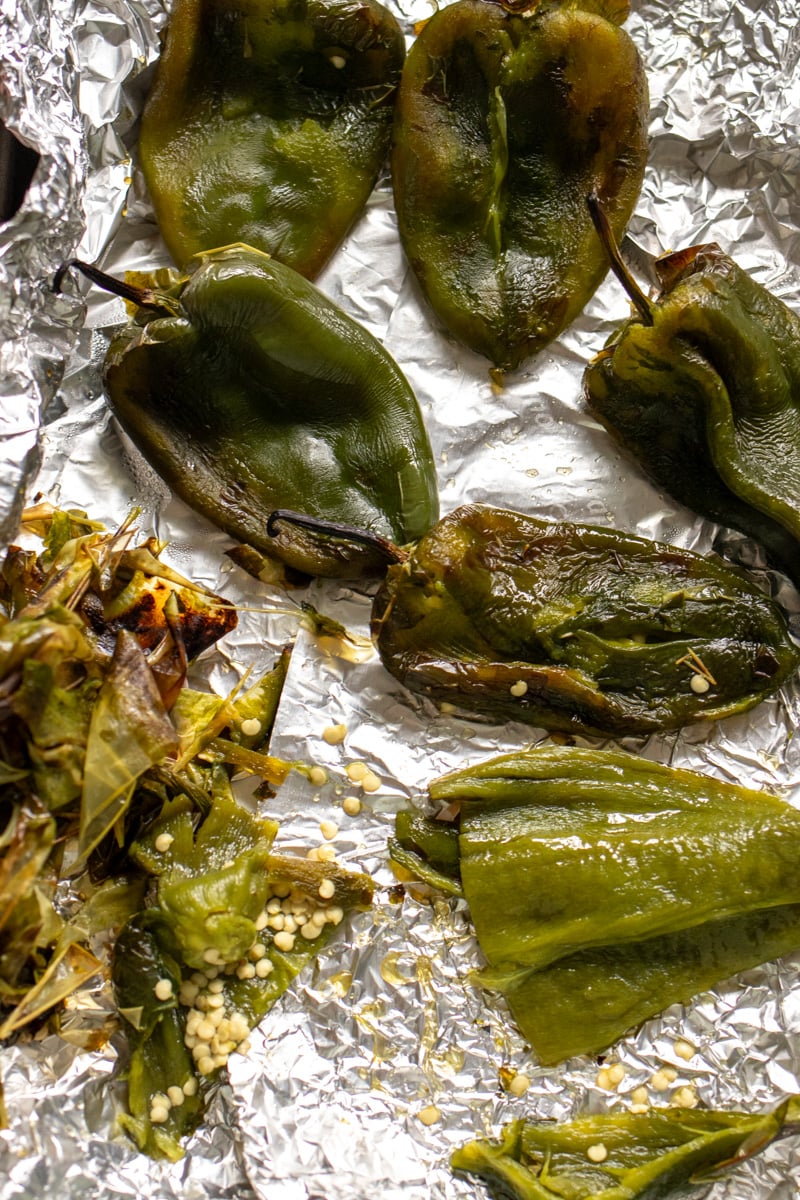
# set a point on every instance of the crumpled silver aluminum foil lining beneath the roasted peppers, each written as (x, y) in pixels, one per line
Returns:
(383, 1058)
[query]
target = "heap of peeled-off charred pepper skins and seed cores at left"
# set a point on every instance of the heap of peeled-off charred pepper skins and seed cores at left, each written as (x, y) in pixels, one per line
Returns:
(118, 791)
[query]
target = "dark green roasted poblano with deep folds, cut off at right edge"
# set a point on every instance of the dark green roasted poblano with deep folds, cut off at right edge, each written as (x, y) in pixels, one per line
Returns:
(707, 398)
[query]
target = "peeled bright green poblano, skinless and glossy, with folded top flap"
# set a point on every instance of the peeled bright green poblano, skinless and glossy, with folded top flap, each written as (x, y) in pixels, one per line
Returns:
(604, 887)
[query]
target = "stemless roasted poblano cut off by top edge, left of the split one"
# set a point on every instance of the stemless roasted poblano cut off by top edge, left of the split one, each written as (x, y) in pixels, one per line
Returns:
(268, 124)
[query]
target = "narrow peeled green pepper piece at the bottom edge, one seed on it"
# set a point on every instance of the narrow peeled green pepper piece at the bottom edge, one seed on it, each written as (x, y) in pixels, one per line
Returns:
(646, 1156)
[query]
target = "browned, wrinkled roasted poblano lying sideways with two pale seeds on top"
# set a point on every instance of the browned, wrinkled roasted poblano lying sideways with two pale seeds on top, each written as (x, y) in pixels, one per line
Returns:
(576, 628)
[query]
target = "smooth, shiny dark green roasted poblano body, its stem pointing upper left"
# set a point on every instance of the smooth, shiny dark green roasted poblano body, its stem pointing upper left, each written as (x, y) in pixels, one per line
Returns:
(249, 391)
